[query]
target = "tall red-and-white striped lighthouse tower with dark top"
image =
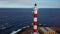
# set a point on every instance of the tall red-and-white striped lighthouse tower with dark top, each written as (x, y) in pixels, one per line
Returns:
(35, 19)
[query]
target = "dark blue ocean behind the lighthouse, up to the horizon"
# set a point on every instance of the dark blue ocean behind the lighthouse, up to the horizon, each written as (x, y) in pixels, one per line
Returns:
(12, 19)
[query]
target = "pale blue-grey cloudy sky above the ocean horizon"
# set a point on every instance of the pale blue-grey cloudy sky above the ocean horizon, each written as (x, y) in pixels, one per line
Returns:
(29, 3)
